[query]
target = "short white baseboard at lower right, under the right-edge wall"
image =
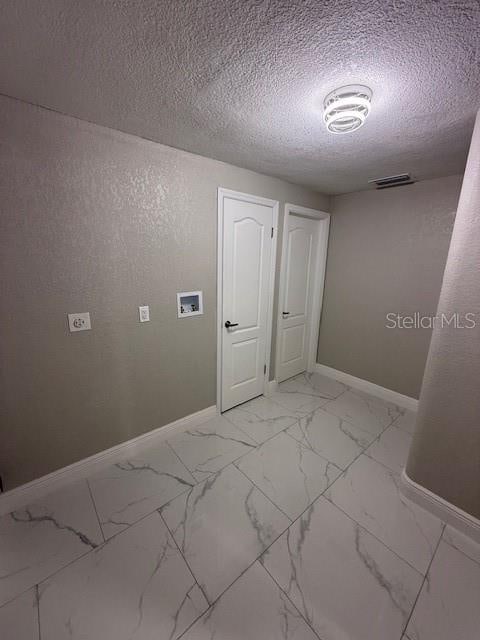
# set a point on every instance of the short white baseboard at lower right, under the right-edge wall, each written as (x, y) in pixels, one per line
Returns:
(449, 513)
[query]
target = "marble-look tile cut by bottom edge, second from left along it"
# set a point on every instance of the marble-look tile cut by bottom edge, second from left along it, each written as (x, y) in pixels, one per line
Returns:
(137, 585)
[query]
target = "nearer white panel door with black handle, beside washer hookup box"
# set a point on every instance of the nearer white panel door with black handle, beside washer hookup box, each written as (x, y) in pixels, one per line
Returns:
(246, 293)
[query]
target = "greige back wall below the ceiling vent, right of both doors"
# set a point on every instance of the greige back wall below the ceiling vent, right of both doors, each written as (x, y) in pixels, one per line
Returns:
(387, 253)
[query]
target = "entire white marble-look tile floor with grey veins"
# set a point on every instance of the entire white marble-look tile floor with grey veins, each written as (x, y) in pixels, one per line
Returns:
(280, 519)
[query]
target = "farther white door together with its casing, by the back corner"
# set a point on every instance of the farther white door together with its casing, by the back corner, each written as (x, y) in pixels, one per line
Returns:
(305, 237)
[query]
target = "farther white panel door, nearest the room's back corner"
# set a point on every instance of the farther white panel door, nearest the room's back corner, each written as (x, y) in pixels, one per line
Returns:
(296, 304)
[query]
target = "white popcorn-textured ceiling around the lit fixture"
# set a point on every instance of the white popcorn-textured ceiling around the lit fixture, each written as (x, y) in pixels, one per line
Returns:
(243, 80)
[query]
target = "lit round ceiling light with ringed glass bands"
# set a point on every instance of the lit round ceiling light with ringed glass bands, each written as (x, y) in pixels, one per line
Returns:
(346, 109)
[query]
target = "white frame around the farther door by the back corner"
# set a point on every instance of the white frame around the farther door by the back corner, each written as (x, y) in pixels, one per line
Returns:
(318, 284)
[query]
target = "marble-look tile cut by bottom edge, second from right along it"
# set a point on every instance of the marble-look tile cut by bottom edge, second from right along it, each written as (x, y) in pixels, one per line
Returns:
(370, 598)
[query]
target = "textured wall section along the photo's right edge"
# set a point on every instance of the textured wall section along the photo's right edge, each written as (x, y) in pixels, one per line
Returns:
(445, 453)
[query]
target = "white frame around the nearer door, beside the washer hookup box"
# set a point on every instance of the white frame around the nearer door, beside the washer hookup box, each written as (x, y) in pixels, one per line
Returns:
(243, 197)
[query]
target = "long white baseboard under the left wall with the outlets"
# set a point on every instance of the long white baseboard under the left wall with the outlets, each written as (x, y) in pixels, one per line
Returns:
(32, 491)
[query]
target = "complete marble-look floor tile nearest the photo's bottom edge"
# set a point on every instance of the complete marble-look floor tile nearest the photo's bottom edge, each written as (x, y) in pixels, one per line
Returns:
(221, 526)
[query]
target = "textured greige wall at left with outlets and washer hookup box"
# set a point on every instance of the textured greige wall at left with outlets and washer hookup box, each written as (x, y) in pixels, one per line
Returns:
(95, 220)
